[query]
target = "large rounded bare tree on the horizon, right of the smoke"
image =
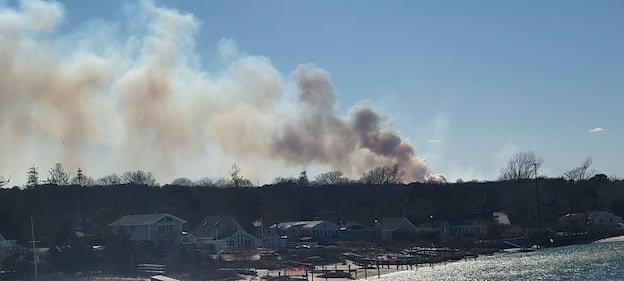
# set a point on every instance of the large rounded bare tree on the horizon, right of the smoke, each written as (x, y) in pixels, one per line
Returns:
(523, 165)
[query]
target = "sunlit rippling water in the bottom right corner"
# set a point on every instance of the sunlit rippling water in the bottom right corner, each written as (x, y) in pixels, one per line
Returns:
(596, 261)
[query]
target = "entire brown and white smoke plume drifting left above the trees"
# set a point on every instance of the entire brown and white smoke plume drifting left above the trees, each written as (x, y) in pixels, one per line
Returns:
(140, 101)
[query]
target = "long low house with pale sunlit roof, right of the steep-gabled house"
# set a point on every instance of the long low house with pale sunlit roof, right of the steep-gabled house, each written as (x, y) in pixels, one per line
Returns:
(302, 232)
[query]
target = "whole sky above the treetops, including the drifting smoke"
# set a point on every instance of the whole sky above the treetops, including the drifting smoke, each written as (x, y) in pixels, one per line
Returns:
(463, 84)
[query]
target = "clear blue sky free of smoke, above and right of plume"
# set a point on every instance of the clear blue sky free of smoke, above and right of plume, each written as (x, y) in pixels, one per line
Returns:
(469, 83)
